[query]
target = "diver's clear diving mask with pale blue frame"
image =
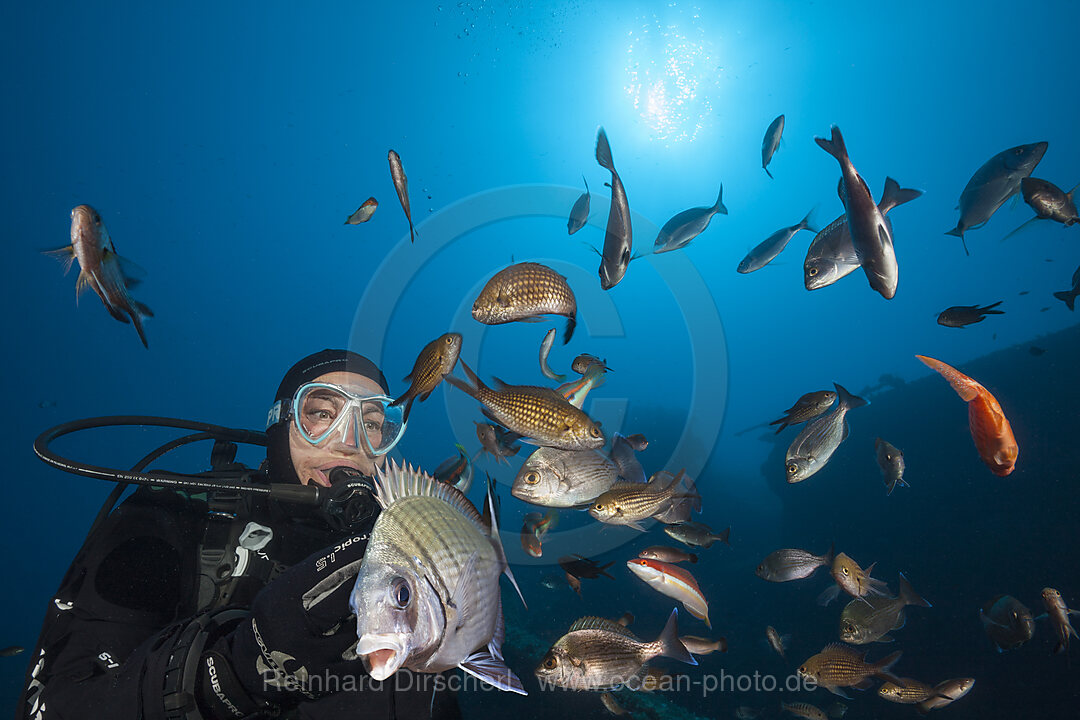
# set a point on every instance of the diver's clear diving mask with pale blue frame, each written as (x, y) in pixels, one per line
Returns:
(323, 413)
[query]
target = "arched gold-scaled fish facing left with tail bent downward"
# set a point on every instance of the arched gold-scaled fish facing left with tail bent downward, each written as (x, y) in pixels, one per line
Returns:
(524, 292)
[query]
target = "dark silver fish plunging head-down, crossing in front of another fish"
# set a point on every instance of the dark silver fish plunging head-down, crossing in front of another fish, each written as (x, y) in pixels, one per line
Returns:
(871, 236)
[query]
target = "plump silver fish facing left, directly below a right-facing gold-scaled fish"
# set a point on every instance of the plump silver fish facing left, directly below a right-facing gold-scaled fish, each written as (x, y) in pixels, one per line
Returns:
(564, 479)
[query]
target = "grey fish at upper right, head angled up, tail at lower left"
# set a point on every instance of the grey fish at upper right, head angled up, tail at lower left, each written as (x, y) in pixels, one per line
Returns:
(993, 184)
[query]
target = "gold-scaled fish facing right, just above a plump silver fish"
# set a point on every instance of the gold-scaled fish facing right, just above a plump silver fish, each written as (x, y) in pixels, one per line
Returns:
(535, 413)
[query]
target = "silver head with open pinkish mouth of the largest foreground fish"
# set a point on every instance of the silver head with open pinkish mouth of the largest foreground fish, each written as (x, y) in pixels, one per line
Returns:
(400, 617)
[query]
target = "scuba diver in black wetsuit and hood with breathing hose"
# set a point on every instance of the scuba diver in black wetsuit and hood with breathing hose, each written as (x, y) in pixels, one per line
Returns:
(202, 600)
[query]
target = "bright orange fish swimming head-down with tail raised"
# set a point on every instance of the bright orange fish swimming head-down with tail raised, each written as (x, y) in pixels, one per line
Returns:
(990, 429)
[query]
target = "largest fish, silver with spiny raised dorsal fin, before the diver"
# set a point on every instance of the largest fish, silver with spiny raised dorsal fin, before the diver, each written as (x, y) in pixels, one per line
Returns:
(427, 597)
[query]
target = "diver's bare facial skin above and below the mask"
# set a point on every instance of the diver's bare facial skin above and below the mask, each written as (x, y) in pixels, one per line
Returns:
(312, 463)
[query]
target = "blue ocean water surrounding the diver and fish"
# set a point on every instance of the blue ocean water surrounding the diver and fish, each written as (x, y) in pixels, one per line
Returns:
(225, 144)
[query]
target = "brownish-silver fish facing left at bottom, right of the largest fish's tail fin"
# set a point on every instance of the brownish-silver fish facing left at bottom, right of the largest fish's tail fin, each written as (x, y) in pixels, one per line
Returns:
(598, 654)
